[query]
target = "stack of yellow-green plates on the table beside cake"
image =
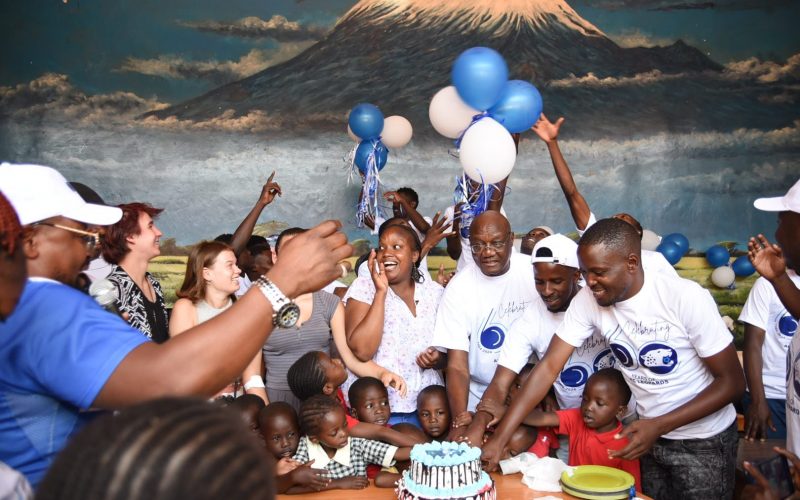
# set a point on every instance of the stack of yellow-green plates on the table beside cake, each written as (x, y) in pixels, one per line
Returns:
(597, 482)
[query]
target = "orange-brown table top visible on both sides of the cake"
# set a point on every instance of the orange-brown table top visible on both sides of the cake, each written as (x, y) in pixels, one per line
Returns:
(508, 488)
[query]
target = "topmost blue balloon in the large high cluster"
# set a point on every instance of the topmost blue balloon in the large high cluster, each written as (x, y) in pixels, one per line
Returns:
(480, 75)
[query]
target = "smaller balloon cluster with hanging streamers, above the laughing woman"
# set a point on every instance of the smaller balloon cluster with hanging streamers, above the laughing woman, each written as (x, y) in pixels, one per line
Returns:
(375, 135)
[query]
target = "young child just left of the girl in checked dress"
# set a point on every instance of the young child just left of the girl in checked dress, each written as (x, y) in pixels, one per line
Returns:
(281, 432)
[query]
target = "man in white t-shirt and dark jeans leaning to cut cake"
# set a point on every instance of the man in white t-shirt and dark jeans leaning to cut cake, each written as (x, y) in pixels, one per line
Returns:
(676, 355)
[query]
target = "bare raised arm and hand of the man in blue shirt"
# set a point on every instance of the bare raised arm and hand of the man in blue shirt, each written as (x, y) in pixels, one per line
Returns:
(205, 358)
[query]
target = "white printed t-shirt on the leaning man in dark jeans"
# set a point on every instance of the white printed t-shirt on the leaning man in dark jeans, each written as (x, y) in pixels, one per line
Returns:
(658, 337)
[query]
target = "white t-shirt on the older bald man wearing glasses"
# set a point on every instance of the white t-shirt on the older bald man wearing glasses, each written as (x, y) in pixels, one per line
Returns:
(476, 314)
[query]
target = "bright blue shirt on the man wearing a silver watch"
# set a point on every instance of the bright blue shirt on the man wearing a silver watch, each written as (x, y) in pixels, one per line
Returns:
(57, 350)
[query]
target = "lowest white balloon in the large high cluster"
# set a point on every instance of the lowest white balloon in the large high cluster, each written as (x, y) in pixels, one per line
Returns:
(487, 152)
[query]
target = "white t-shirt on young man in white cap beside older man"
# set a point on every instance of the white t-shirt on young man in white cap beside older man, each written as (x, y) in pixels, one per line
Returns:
(532, 334)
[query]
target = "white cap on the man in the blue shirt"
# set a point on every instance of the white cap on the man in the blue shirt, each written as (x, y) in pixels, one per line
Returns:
(38, 193)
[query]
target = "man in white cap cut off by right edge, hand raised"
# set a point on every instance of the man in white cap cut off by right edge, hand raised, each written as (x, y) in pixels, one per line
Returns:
(778, 265)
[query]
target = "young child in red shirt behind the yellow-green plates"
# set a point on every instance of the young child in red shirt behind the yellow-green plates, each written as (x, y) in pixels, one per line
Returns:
(592, 427)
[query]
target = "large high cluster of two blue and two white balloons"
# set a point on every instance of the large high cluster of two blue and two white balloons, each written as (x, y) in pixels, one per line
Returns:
(481, 109)
